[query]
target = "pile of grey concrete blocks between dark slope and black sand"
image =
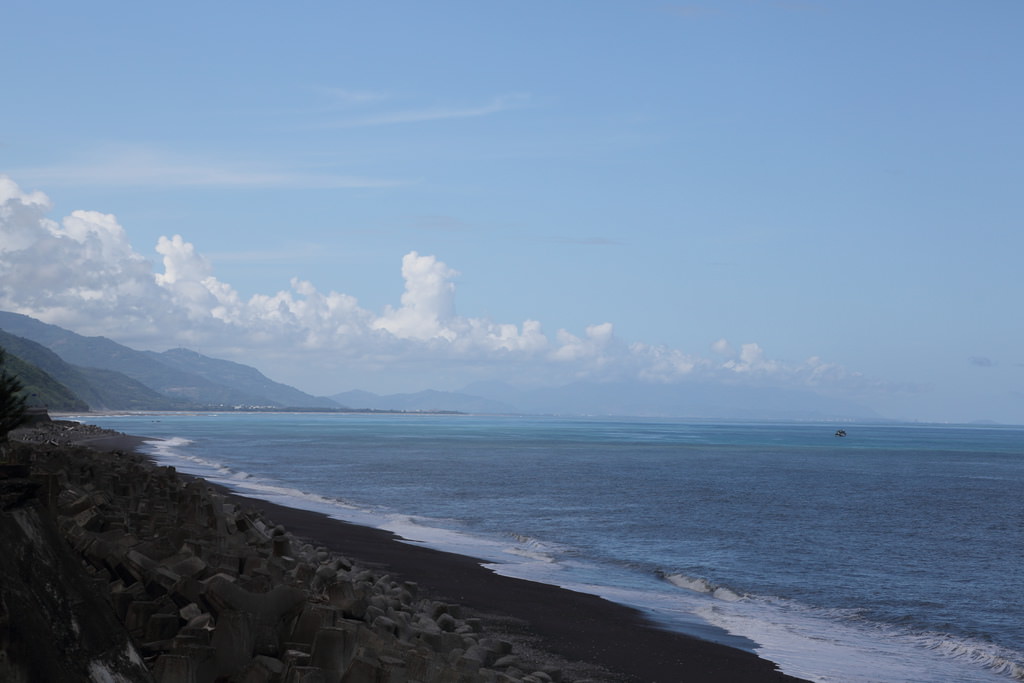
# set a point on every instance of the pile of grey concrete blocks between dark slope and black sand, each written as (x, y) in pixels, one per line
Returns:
(235, 596)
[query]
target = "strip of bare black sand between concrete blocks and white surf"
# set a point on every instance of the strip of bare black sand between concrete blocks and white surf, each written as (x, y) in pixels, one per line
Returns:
(588, 636)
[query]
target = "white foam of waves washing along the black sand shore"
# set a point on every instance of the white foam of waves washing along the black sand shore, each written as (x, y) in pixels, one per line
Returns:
(829, 647)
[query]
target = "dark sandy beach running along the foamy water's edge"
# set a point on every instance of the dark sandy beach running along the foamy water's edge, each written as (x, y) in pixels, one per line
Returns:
(558, 633)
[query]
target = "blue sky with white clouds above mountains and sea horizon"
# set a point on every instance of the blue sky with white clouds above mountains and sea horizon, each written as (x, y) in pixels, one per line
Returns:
(402, 196)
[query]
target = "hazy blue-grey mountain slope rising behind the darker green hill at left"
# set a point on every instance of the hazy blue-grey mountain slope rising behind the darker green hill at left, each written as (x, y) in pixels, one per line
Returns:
(180, 379)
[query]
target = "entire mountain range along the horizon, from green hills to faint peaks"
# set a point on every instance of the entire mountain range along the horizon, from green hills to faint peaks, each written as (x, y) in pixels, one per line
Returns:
(66, 371)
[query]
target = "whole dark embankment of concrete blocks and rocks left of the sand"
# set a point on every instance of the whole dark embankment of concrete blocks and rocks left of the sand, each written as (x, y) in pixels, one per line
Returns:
(117, 570)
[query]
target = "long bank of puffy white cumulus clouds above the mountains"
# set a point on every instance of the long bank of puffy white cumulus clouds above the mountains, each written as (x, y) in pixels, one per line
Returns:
(82, 273)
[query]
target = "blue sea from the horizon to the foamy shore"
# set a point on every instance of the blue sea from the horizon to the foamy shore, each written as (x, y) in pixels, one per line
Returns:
(893, 554)
